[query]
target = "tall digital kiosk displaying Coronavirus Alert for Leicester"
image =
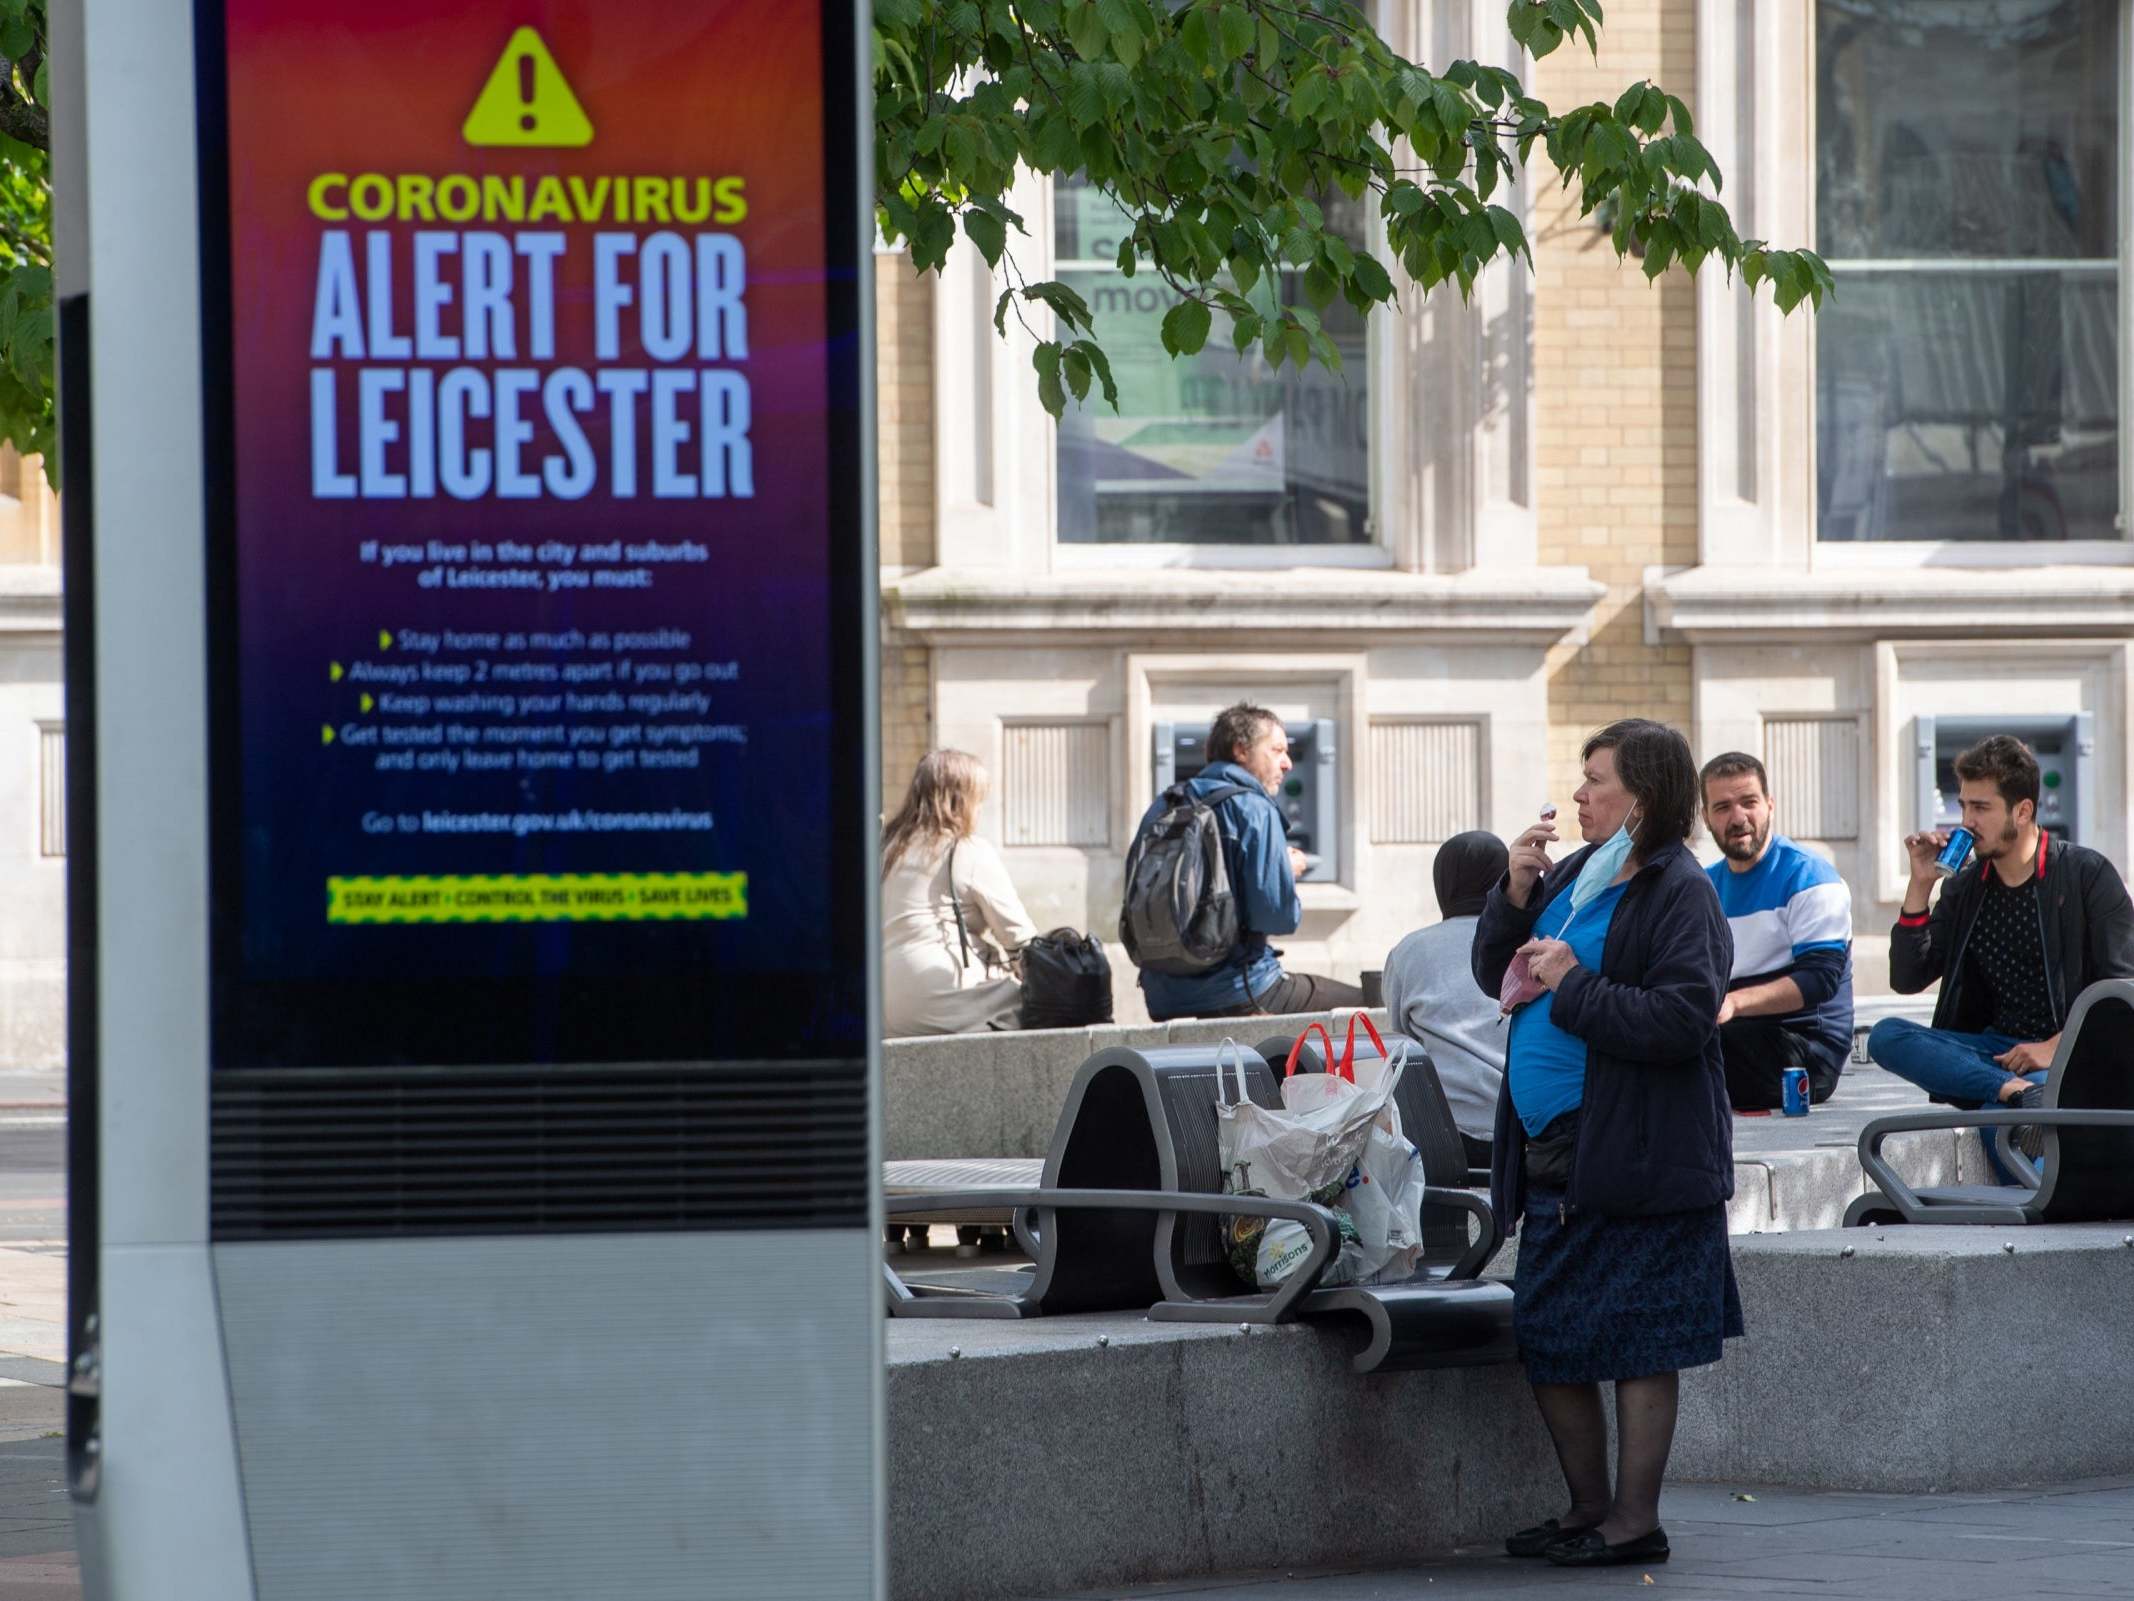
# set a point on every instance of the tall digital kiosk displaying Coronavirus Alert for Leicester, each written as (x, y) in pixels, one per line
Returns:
(468, 454)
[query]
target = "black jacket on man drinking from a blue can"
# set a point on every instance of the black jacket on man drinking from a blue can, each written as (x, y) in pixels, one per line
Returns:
(2088, 936)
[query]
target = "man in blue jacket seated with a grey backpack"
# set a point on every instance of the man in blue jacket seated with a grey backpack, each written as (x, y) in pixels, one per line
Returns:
(1211, 876)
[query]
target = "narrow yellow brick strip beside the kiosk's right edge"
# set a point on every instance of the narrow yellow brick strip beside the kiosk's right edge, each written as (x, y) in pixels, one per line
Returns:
(904, 383)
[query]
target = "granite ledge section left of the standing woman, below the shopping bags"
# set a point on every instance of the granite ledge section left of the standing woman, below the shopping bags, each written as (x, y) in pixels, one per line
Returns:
(1079, 1453)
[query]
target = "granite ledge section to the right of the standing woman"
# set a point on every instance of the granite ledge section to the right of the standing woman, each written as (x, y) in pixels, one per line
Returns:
(1922, 1359)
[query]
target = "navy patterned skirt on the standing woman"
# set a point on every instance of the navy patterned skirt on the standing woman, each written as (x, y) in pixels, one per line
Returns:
(1621, 1297)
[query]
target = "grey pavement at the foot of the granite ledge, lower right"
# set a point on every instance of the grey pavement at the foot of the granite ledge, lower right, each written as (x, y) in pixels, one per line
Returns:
(2073, 1540)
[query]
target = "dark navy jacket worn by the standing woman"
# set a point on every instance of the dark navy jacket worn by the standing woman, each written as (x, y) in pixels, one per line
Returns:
(1655, 1132)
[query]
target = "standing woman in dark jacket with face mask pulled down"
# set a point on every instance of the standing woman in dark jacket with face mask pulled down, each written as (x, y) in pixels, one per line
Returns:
(1614, 1141)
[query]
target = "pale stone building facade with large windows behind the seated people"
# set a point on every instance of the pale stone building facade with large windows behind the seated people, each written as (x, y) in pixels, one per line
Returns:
(1830, 541)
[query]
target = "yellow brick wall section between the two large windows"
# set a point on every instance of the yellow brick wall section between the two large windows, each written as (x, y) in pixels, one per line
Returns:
(1617, 396)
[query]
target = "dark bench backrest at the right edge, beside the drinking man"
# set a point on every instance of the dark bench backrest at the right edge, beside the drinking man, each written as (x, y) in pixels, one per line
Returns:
(2090, 1173)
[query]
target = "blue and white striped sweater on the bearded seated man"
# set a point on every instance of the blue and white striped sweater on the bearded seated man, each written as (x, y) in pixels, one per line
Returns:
(1791, 917)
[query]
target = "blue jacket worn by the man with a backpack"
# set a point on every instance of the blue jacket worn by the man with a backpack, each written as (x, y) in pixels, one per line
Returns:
(1256, 849)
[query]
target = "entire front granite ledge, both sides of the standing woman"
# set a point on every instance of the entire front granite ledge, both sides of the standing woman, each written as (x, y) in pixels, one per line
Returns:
(1081, 1453)
